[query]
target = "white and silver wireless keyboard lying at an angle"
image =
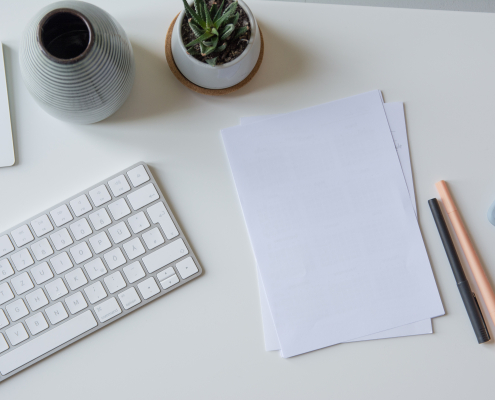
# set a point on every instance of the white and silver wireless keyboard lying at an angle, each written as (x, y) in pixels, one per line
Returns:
(85, 263)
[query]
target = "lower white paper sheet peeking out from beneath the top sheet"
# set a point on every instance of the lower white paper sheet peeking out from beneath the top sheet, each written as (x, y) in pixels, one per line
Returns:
(396, 119)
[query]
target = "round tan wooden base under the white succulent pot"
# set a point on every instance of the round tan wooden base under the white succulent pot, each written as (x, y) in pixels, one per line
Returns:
(211, 92)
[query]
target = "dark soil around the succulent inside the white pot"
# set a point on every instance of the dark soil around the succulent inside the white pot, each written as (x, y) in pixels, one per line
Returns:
(235, 47)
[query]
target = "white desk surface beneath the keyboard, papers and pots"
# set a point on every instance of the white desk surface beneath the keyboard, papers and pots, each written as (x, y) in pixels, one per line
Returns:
(204, 341)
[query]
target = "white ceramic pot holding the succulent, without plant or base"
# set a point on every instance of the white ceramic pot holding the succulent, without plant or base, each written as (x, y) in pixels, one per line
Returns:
(221, 76)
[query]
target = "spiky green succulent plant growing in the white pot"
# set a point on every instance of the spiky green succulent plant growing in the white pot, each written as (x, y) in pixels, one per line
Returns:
(212, 27)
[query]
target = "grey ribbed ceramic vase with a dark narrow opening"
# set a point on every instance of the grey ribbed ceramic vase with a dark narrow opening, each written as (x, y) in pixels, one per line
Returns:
(77, 62)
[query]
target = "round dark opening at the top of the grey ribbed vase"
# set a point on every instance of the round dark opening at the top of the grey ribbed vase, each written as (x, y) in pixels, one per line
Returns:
(65, 35)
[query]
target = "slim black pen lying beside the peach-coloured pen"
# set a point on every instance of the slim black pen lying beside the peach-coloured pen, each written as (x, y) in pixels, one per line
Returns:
(468, 297)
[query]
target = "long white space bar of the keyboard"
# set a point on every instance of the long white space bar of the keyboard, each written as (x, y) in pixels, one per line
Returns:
(46, 342)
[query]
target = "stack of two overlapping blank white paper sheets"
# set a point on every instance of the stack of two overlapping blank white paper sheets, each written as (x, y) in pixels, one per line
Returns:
(328, 200)
